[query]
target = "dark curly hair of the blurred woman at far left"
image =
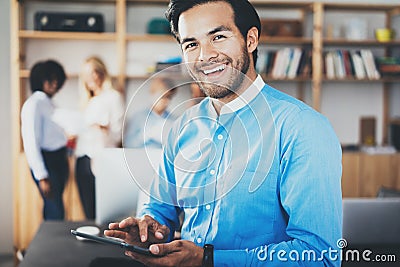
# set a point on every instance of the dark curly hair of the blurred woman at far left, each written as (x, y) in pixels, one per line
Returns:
(49, 70)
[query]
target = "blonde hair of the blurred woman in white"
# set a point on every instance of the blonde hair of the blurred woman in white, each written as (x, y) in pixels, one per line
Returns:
(101, 70)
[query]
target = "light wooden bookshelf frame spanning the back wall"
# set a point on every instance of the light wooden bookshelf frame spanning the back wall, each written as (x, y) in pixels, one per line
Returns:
(316, 81)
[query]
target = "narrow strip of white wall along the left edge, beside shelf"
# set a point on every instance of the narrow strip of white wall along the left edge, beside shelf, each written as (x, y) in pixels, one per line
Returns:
(6, 216)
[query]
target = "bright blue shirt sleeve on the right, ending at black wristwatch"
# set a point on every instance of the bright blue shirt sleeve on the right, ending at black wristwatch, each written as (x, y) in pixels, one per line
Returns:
(310, 192)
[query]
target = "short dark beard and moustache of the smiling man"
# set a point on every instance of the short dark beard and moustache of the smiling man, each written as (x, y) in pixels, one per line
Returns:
(226, 88)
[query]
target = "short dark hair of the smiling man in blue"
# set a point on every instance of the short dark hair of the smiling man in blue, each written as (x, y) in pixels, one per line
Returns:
(245, 14)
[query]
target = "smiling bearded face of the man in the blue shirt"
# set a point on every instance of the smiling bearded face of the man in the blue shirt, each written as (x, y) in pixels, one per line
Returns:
(213, 48)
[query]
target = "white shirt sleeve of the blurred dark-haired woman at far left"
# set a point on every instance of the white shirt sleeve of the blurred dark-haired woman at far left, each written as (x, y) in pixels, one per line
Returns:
(31, 127)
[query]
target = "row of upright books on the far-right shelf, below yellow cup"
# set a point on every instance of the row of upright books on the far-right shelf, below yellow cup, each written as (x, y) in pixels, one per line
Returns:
(344, 64)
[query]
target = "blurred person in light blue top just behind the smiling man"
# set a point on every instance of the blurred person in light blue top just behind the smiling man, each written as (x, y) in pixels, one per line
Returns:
(148, 126)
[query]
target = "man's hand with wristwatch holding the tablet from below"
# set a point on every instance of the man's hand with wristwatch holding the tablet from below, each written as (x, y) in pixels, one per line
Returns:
(179, 253)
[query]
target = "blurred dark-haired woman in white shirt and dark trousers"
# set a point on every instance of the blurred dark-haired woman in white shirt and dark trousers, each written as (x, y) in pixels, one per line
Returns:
(44, 140)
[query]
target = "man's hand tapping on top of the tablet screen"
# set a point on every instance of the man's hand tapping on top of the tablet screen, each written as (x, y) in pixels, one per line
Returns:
(140, 232)
